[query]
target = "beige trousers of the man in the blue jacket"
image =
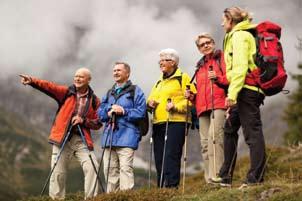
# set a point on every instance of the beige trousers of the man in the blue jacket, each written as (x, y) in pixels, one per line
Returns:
(121, 175)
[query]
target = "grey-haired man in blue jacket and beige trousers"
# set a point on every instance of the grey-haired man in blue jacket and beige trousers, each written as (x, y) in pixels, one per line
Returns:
(126, 104)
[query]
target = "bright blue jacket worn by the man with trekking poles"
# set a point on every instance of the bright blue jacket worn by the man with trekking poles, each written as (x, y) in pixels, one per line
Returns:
(126, 133)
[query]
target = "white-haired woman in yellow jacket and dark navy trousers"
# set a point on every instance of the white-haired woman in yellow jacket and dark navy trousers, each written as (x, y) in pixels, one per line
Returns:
(171, 85)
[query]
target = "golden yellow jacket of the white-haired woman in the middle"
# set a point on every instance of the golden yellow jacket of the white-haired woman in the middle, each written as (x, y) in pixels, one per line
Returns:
(171, 88)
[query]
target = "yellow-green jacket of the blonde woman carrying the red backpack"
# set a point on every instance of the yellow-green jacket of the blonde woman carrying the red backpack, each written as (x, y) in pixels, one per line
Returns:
(239, 50)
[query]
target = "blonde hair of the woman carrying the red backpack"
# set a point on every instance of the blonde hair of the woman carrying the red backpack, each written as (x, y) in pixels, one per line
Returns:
(237, 14)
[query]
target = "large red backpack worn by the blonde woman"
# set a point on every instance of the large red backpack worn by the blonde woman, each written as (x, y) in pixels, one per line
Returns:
(270, 75)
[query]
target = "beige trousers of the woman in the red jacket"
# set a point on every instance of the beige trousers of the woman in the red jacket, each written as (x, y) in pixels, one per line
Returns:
(207, 139)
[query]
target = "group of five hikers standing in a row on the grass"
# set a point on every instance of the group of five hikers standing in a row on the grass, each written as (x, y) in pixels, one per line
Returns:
(224, 102)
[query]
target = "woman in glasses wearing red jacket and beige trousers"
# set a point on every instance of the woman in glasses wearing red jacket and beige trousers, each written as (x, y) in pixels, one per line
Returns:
(210, 104)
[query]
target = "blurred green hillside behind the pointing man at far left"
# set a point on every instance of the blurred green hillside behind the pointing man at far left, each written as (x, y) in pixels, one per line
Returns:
(25, 159)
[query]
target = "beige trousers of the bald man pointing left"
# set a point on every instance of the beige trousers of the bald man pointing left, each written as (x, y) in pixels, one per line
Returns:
(73, 148)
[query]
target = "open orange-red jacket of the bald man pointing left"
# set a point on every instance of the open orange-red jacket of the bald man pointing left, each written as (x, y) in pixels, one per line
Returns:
(66, 109)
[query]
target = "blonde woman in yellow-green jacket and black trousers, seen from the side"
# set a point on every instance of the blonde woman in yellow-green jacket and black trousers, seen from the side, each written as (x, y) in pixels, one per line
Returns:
(242, 100)
